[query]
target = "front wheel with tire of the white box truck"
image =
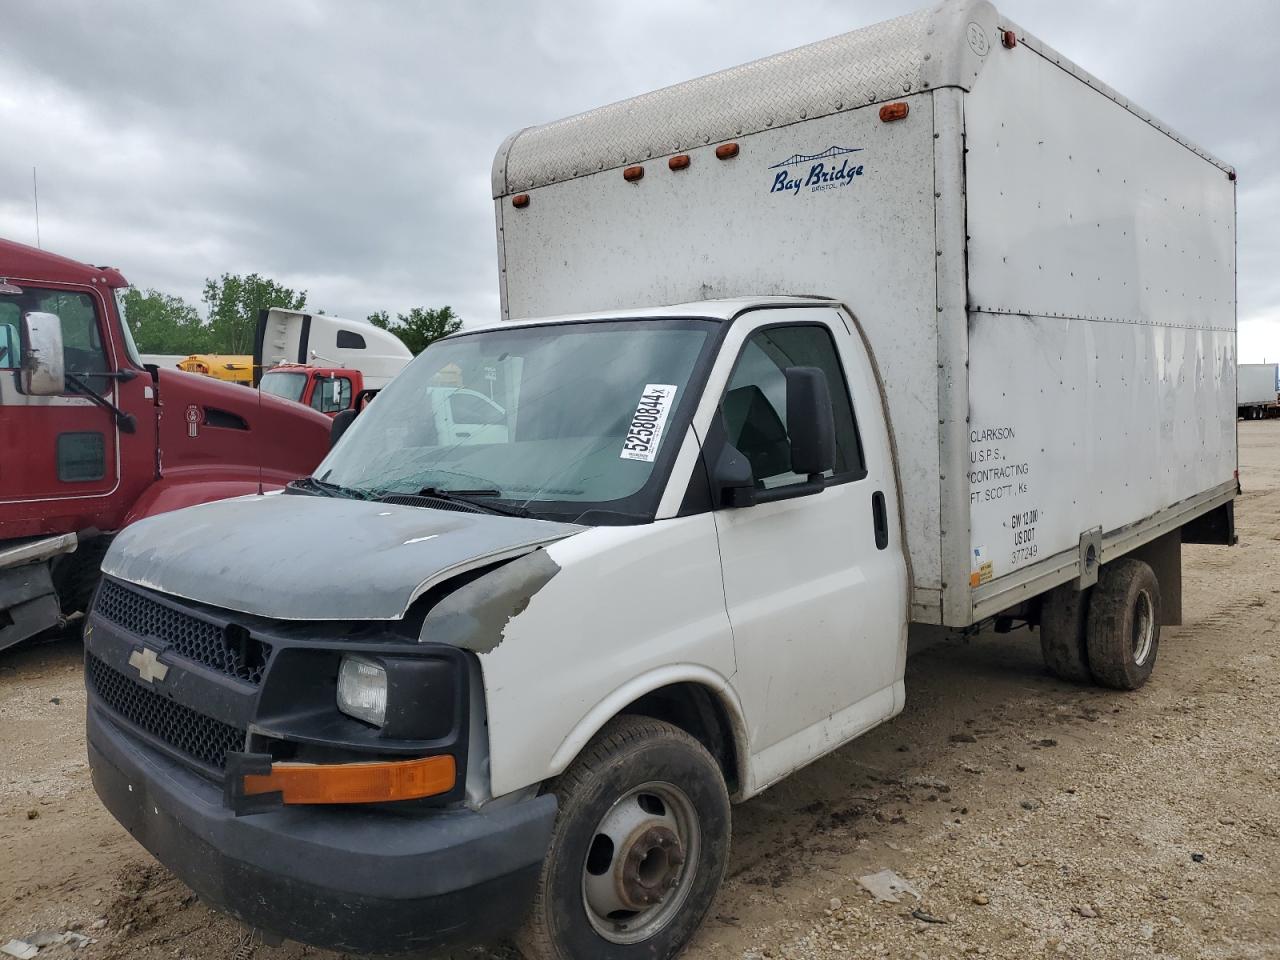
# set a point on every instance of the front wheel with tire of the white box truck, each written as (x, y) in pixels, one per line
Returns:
(638, 852)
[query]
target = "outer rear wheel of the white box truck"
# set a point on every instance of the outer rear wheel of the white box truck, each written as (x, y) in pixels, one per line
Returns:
(1123, 629)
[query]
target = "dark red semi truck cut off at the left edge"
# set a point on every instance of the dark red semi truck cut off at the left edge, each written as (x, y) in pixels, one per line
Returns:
(94, 441)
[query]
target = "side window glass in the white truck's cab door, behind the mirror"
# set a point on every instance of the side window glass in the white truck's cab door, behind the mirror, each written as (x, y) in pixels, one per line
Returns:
(755, 409)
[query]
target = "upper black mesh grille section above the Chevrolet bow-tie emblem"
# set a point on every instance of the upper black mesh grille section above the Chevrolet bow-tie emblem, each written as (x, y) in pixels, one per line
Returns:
(193, 638)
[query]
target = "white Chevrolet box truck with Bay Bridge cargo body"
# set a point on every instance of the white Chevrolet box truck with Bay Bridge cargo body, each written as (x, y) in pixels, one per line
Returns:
(921, 324)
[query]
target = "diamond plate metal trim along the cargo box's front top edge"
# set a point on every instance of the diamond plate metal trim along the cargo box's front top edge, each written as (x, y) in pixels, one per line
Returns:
(867, 66)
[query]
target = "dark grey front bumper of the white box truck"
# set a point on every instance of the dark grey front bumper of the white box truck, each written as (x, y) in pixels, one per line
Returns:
(345, 879)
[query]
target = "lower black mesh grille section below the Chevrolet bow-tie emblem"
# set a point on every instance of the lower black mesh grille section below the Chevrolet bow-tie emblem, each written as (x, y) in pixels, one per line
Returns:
(202, 738)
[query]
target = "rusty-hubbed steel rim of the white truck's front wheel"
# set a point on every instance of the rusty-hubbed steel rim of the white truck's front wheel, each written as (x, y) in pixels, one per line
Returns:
(650, 849)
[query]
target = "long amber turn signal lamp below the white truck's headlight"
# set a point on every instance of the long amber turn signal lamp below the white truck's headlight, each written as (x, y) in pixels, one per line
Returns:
(355, 783)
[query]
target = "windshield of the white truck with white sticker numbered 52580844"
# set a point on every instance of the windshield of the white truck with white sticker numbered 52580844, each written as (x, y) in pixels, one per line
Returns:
(560, 413)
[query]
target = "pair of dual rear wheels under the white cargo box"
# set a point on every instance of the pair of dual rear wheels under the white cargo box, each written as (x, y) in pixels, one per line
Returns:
(1109, 634)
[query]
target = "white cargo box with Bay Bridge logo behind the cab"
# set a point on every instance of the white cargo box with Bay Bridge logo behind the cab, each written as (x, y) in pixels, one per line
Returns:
(1046, 273)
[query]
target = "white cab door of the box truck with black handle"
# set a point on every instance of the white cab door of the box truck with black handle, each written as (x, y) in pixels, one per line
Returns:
(815, 586)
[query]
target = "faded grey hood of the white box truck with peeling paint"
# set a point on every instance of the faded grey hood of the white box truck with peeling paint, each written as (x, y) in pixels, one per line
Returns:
(291, 557)
